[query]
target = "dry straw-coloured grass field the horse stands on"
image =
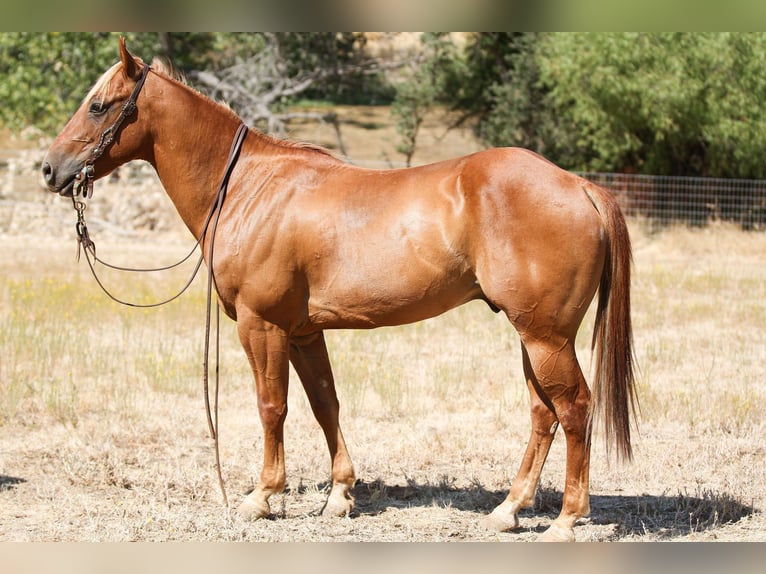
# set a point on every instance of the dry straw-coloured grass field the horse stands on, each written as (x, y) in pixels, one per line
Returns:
(103, 434)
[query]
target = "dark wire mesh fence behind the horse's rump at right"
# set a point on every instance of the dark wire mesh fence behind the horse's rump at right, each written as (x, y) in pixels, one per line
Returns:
(696, 201)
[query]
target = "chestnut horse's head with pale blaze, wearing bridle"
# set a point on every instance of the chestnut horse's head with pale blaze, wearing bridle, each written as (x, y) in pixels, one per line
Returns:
(107, 130)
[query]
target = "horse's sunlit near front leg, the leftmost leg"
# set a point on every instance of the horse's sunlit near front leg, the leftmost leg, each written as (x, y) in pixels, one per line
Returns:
(266, 347)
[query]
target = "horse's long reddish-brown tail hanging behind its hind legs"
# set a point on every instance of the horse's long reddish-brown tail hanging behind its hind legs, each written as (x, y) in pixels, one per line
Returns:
(613, 389)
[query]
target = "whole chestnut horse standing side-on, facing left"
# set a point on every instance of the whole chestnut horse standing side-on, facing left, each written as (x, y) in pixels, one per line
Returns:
(307, 242)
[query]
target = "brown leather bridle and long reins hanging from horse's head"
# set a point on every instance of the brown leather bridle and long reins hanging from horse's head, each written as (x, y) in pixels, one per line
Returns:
(83, 190)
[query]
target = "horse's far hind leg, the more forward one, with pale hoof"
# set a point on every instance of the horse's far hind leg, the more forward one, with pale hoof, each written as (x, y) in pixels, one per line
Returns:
(524, 485)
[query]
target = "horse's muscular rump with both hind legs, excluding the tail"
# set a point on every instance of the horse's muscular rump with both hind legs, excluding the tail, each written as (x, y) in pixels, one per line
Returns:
(542, 264)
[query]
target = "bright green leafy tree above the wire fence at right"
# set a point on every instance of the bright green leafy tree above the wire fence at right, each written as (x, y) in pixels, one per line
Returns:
(676, 104)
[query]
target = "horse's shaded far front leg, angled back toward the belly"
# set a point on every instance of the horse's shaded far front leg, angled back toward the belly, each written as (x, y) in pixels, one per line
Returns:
(311, 362)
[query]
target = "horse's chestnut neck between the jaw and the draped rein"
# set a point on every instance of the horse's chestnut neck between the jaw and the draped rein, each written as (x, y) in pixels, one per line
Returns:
(192, 136)
